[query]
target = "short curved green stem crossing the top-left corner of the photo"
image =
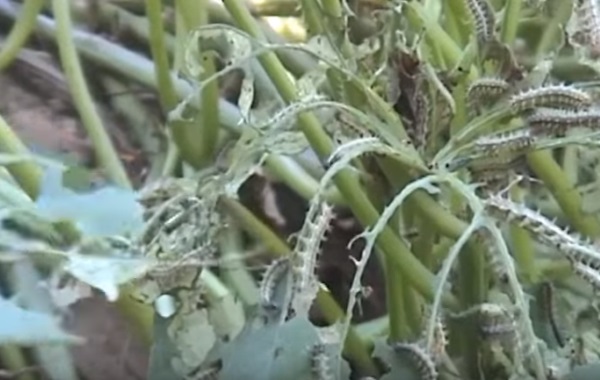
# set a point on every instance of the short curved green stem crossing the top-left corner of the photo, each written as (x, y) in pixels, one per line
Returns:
(20, 32)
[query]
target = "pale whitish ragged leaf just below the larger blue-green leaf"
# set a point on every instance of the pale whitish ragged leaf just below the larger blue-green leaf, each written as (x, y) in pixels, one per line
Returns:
(106, 273)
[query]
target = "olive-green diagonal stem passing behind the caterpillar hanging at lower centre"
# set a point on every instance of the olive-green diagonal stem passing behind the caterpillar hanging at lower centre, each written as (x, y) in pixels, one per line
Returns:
(353, 346)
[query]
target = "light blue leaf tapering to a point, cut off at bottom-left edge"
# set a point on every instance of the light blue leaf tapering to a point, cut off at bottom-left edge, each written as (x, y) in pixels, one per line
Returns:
(27, 328)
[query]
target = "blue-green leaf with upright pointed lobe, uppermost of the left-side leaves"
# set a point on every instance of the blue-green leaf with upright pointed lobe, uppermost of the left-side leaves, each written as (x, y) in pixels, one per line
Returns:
(105, 212)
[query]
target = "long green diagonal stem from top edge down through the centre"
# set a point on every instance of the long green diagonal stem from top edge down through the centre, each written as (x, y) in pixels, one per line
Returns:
(387, 241)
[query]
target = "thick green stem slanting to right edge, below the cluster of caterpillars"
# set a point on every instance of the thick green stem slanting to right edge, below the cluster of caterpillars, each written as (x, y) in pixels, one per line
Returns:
(567, 196)
